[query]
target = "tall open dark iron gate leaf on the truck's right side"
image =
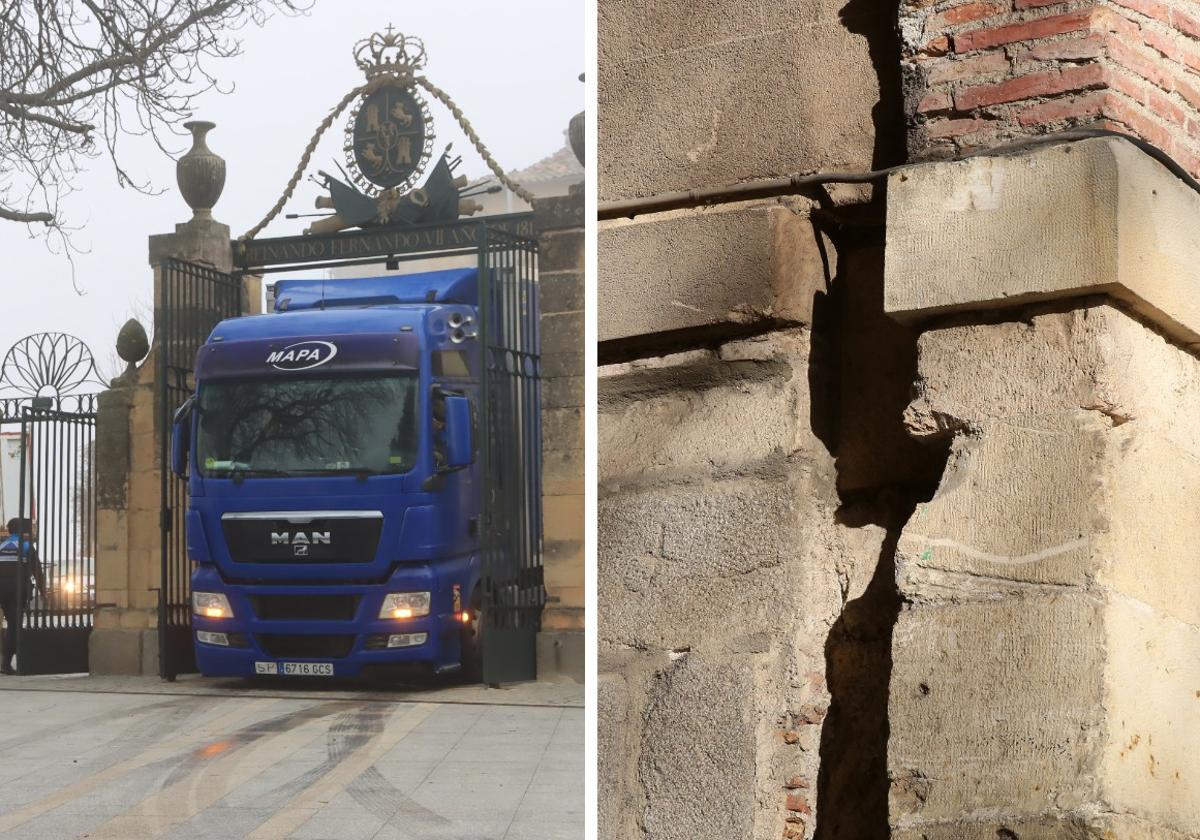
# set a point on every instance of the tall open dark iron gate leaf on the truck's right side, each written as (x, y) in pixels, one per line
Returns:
(513, 590)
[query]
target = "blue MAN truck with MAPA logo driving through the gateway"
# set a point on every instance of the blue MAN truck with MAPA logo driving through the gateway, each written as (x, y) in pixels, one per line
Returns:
(337, 483)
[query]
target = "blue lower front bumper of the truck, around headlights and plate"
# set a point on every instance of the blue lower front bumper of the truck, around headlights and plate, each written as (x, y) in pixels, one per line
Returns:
(256, 646)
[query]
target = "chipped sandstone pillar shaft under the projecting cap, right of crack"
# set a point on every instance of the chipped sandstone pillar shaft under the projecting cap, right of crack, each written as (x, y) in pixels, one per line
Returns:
(1047, 663)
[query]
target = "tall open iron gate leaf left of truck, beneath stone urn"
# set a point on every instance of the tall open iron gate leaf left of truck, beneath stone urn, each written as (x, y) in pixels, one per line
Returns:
(195, 299)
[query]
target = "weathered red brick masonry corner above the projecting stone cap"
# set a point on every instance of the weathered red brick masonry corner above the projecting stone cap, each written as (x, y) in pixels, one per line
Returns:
(985, 71)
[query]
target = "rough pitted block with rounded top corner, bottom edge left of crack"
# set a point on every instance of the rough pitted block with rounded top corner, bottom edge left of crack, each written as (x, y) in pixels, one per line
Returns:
(699, 751)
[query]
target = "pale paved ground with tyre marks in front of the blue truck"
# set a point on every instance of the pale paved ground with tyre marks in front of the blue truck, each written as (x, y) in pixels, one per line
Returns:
(134, 758)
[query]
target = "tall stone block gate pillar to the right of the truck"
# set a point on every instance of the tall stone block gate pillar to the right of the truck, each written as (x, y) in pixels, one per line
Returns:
(560, 223)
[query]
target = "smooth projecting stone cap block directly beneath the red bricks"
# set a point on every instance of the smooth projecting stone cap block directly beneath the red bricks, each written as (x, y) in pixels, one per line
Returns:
(1099, 217)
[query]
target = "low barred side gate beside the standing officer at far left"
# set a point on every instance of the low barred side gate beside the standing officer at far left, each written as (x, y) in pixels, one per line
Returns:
(57, 495)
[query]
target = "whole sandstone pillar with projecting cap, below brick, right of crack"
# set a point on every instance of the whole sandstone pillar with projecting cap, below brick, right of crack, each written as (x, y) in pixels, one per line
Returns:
(1047, 662)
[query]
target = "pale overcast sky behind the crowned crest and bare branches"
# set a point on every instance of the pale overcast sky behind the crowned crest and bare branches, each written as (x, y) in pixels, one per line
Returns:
(512, 67)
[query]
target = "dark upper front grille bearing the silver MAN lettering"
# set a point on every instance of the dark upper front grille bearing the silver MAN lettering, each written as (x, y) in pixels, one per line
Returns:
(325, 537)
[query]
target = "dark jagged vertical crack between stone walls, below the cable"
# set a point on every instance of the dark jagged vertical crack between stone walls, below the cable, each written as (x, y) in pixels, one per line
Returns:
(862, 382)
